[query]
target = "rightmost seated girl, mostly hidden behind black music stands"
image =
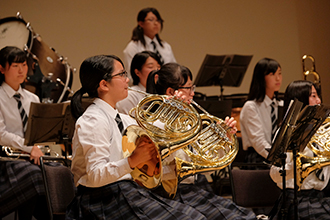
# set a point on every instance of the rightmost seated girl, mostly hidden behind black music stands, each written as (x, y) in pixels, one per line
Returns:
(312, 203)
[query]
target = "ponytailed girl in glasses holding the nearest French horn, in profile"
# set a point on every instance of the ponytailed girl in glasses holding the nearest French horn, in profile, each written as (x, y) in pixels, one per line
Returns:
(106, 189)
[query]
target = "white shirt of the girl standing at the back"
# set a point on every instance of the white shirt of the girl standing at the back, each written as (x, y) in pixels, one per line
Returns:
(135, 47)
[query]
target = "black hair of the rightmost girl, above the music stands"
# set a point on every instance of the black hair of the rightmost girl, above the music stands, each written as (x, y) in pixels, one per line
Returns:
(299, 89)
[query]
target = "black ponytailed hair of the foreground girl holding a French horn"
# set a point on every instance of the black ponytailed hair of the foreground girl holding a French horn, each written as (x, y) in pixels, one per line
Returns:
(92, 71)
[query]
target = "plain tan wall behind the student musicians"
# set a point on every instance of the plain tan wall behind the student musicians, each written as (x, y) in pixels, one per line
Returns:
(279, 29)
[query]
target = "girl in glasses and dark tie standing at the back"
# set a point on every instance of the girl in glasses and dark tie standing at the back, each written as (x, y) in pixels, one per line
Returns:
(146, 37)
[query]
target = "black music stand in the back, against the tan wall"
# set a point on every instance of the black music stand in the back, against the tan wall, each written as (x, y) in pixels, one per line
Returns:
(223, 70)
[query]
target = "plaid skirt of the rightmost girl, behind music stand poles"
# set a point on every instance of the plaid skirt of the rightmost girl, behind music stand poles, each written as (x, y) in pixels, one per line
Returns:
(312, 205)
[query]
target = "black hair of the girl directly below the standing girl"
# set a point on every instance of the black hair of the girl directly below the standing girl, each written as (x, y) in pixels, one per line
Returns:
(139, 60)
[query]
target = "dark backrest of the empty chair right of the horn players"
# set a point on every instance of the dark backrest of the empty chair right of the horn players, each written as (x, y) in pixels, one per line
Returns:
(253, 188)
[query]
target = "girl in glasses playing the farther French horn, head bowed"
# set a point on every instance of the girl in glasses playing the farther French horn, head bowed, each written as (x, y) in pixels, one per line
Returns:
(172, 79)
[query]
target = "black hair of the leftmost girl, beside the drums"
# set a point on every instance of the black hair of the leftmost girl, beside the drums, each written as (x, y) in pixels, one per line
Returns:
(10, 54)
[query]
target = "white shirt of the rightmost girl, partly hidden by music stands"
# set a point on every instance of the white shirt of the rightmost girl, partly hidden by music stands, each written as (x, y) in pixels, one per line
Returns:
(311, 181)
